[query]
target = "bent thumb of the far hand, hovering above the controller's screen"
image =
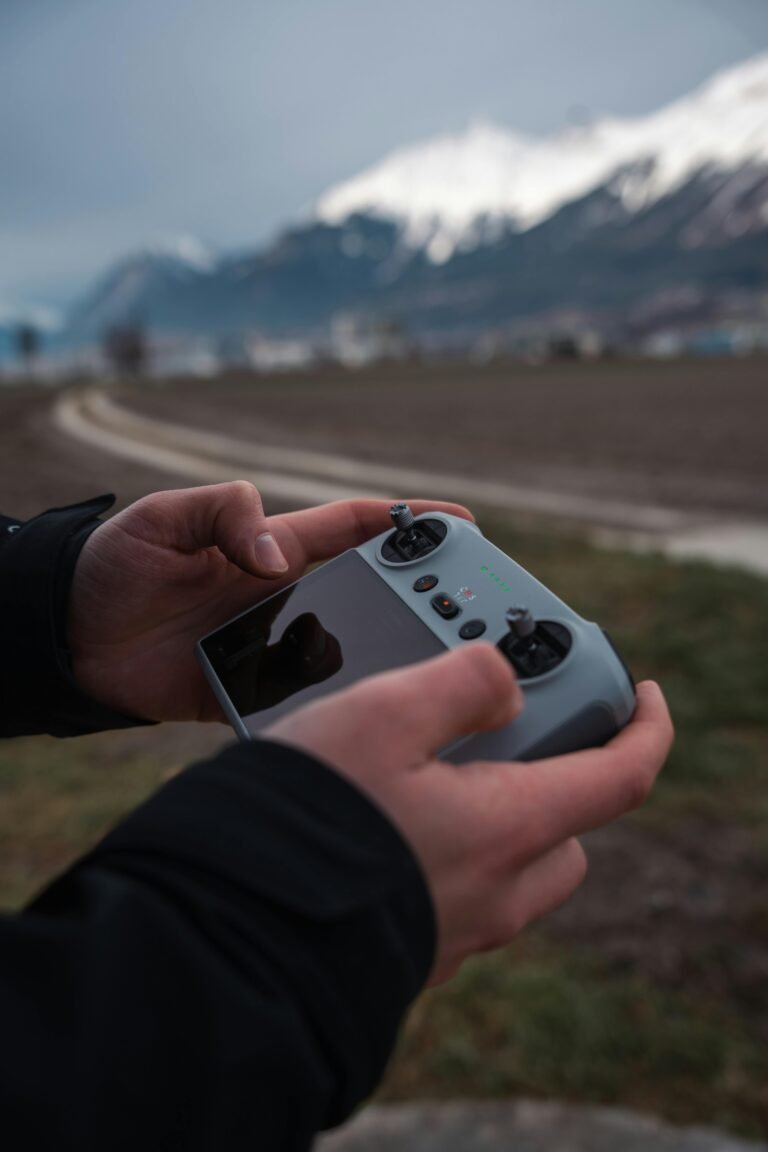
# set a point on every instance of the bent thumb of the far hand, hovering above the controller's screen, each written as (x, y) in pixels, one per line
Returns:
(229, 517)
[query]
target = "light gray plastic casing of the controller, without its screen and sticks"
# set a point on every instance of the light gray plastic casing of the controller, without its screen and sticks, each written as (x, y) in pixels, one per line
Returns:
(582, 702)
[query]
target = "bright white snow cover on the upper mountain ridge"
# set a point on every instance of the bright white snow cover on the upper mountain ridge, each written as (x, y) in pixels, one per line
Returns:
(455, 191)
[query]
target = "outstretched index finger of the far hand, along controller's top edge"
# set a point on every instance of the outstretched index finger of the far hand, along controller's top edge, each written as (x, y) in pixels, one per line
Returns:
(318, 534)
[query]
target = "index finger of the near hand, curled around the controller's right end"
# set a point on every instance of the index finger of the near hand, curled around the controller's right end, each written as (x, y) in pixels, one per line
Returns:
(569, 795)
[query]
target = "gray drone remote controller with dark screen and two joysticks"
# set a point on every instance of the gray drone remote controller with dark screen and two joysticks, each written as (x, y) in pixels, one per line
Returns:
(429, 585)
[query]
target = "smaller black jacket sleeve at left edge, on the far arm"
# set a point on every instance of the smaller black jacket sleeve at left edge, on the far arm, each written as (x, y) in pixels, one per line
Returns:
(39, 693)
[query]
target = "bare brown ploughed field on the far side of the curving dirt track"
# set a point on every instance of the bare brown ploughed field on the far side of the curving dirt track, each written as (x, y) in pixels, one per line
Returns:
(689, 435)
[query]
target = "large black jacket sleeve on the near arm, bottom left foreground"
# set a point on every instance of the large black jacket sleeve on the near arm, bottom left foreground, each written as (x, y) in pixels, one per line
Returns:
(226, 971)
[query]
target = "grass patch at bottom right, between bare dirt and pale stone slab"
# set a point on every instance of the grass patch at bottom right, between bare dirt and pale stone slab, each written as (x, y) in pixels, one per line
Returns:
(535, 1022)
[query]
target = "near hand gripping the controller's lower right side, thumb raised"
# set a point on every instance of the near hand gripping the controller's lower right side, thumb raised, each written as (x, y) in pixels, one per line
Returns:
(497, 842)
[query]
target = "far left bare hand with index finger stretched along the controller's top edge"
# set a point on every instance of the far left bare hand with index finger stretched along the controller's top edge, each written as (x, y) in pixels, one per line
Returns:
(158, 577)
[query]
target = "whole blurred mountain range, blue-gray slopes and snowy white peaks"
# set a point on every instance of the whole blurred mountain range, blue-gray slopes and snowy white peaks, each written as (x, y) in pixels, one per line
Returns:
(627, 223)
